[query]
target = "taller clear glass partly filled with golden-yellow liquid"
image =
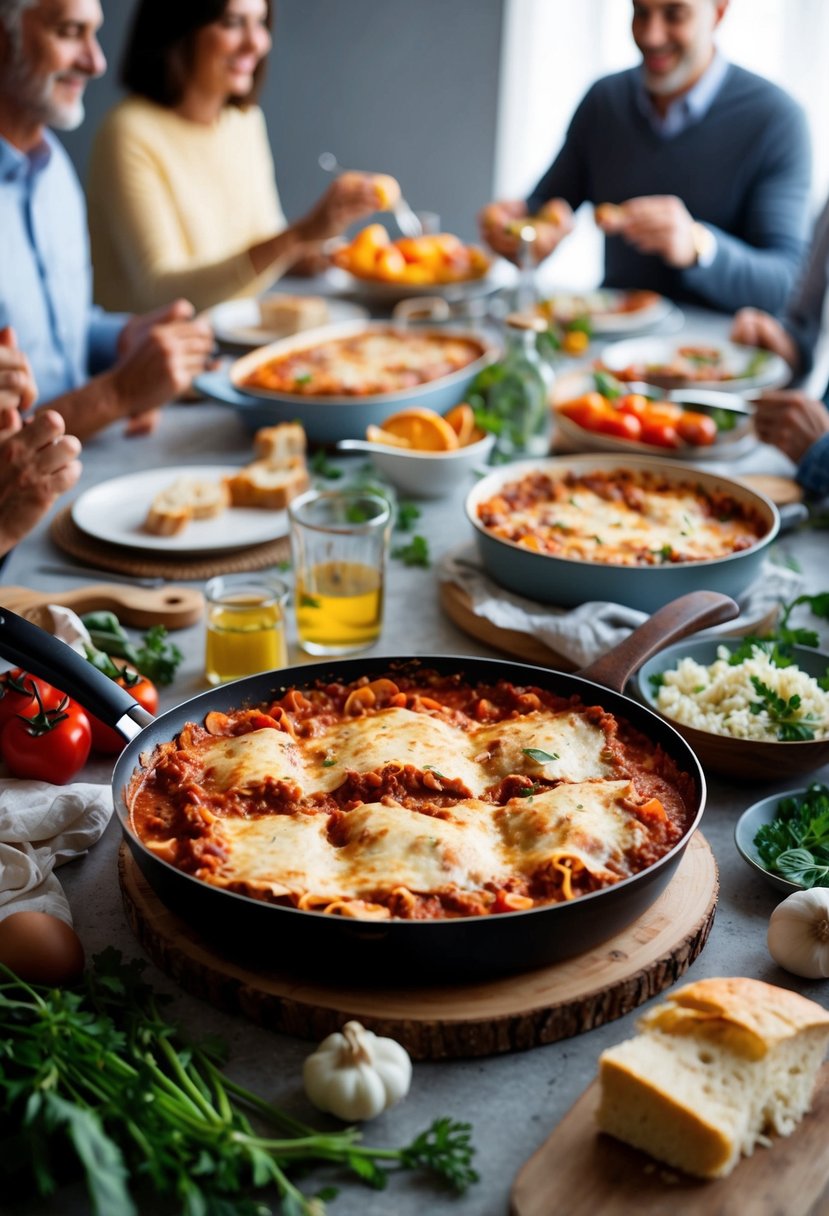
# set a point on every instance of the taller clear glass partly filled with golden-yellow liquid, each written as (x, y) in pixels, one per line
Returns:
(340, 542)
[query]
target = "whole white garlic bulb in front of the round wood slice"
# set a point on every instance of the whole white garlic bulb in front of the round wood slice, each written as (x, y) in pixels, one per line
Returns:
(357, 1074)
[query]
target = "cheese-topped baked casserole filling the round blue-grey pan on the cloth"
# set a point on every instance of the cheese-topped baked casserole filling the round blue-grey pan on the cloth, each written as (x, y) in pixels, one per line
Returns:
(621, 517)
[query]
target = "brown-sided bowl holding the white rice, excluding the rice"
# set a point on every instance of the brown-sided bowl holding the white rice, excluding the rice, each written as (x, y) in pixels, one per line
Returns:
(737, 759)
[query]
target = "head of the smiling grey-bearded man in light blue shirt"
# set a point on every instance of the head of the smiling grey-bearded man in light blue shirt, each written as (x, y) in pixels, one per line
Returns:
(48, 61)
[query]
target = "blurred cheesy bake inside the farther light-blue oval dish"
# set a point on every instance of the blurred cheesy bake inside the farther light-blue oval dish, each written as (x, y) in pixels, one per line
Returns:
(365, 363)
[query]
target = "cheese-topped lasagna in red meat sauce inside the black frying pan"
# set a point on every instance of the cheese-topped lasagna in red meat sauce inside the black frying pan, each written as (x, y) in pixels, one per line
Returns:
(414, 796)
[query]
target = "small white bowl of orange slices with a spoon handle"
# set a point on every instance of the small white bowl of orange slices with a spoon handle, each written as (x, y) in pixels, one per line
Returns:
(424, 453)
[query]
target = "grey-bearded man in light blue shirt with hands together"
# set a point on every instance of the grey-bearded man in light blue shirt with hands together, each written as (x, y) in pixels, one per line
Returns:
(49, 53)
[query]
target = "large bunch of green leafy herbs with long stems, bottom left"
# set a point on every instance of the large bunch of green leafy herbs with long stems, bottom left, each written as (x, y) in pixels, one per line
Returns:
(151, 1119)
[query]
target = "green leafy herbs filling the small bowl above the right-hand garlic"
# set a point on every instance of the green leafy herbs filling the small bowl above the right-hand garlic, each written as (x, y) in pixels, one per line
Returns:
(796, 845)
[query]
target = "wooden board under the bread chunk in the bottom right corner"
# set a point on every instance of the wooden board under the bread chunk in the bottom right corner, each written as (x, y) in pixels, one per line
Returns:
(604, 1178)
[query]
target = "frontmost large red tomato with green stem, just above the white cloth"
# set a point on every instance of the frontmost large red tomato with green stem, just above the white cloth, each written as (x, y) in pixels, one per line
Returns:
(49, 746)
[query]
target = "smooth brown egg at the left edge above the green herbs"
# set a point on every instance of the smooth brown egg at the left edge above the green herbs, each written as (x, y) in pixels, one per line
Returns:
(41, 949)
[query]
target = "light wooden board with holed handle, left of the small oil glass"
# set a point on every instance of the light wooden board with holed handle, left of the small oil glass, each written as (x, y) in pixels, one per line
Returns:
(176, 607)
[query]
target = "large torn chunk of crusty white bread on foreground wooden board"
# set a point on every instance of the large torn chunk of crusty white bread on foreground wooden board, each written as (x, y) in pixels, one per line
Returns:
(717, 1069)
